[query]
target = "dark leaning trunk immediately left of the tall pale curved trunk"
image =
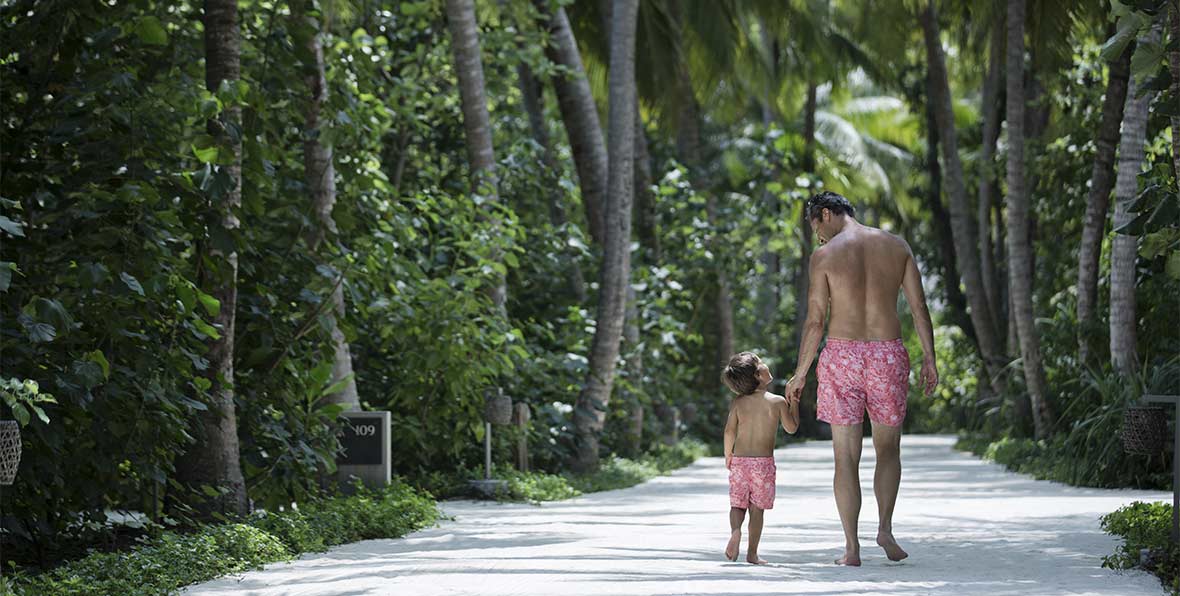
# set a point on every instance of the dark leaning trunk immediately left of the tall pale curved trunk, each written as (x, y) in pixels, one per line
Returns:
(580, 114)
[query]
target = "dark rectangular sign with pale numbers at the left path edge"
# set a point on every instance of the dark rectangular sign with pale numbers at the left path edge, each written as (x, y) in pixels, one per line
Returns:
(366, 451)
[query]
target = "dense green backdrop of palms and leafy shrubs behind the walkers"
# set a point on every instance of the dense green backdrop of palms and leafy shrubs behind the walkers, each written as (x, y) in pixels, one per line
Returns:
(224, 224)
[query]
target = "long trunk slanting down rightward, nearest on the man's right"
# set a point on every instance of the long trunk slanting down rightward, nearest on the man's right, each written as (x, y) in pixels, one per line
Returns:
(962, 224)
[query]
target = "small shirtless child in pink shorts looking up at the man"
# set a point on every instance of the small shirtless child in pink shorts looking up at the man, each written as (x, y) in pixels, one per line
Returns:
(755, 418)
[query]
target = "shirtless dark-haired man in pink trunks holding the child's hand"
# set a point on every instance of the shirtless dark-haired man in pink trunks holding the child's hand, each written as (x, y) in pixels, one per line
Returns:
(857, 273)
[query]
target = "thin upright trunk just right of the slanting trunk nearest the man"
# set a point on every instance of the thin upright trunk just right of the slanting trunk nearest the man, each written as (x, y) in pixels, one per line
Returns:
(987, 158)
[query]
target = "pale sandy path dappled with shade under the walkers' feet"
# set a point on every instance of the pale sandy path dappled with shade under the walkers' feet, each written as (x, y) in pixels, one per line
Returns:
(971, 527)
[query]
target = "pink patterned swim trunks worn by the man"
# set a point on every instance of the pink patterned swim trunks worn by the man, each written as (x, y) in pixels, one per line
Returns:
(858, 375)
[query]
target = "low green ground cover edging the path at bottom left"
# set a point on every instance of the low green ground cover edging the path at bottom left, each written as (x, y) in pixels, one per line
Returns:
(174, 560)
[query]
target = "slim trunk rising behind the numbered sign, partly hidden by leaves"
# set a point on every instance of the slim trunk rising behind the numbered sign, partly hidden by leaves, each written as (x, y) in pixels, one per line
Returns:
(322, 182)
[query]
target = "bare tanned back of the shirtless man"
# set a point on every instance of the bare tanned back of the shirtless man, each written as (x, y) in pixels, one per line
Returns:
(864, 268)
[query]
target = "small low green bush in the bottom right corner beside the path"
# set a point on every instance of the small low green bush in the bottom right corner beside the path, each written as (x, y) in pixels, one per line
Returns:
(1145, 526)
